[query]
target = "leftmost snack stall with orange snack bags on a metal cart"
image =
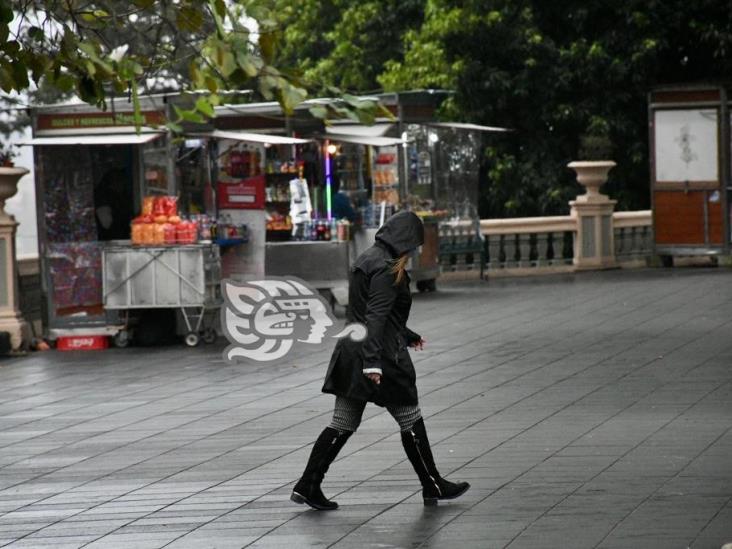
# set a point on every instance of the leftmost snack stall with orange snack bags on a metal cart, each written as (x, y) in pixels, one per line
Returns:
(97, 181)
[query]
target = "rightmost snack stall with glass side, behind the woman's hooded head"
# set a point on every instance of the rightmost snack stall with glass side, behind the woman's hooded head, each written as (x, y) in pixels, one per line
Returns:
(432, 170)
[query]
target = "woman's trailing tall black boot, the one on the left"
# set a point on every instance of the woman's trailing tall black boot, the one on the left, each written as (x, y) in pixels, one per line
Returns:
(307, 490)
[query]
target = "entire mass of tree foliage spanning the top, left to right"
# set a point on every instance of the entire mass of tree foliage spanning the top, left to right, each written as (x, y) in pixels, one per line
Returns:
(570, 77)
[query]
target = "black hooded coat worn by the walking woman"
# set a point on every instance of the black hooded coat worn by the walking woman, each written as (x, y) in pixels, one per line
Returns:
(376, 301)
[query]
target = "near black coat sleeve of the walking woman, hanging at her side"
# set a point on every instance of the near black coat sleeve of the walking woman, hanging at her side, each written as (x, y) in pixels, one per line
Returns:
(382, 294)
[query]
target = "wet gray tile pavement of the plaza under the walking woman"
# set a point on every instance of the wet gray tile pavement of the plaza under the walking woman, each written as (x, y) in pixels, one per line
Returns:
(589, 410)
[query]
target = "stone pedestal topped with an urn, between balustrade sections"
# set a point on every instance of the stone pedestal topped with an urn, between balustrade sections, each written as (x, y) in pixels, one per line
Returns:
(594, 247)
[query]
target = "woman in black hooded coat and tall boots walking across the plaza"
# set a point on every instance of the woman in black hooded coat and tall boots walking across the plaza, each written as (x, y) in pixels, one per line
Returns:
(378, 369)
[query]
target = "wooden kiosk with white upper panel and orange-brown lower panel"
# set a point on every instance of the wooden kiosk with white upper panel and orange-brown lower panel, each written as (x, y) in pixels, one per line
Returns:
(690, 170)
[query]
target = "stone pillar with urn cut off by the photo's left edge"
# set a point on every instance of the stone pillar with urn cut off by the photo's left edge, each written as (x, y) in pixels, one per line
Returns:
(10, 318)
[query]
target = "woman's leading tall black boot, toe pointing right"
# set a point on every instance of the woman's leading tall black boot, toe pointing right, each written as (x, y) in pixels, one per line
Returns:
(434, 487)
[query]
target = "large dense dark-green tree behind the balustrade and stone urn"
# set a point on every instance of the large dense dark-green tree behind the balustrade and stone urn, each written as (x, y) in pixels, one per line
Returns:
(556, 73)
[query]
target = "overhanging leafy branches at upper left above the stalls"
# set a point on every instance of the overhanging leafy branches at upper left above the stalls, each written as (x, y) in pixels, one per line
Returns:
(98, 48)
